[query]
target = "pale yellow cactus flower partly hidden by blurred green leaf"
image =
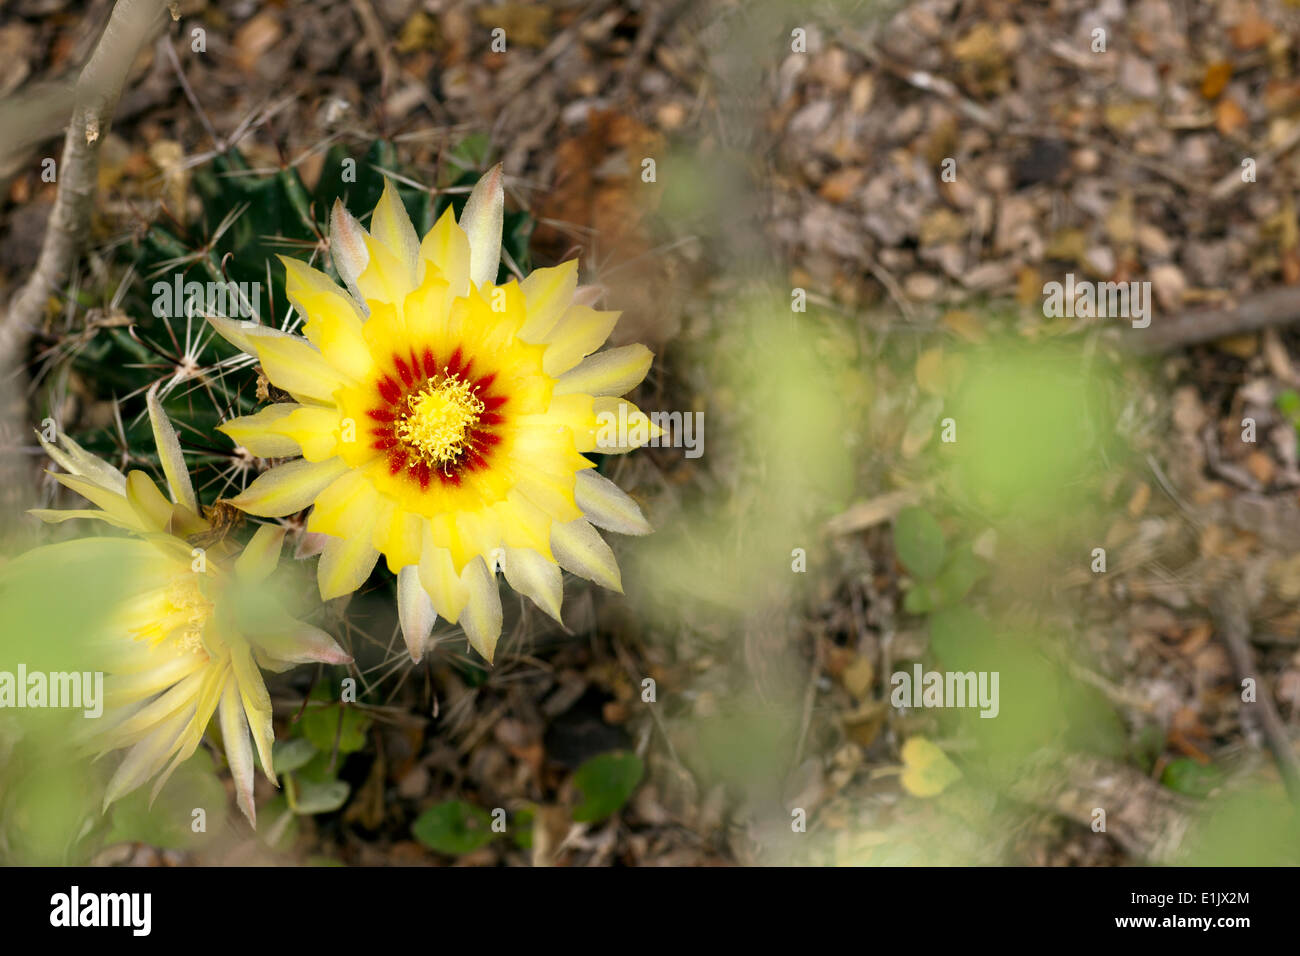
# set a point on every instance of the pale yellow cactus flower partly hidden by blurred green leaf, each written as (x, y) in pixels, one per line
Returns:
(188, 639)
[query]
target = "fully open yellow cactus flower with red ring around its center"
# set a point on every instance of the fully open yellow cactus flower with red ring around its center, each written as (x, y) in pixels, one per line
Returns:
(443, 419)
